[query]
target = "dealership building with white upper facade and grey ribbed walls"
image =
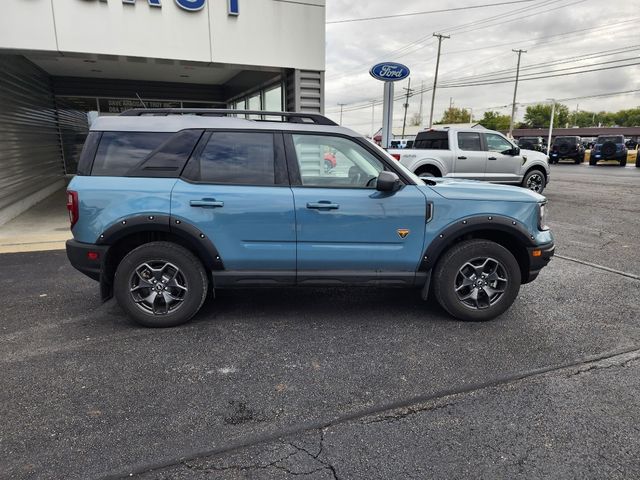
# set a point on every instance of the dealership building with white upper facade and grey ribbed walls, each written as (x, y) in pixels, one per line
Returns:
(62, 59)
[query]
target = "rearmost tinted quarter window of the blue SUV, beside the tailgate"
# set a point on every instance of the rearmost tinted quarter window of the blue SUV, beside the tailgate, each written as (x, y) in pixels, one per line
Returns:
(118, 152)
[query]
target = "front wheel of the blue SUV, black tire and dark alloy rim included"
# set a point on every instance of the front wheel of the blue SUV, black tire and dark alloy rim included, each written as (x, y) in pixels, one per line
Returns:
(476, 280)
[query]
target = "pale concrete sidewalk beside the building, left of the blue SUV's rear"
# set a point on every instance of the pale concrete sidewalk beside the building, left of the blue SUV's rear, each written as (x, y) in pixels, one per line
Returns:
(43, 227)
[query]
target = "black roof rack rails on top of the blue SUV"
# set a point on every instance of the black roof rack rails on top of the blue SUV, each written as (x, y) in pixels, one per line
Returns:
(292, 117)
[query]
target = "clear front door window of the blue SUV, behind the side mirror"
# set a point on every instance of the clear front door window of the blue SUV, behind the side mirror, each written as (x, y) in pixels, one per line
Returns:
(327, 161)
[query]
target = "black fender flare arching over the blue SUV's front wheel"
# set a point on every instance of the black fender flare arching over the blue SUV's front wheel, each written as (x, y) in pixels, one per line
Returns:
(469, 225)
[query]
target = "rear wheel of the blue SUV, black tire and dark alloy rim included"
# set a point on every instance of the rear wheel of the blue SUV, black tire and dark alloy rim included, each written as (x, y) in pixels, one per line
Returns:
(160, 284)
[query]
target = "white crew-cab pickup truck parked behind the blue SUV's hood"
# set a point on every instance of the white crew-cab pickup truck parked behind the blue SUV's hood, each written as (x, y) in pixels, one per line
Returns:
(474, 154)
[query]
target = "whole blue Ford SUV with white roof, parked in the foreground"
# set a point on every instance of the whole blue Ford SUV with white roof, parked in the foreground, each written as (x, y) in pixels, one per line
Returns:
(169, 205)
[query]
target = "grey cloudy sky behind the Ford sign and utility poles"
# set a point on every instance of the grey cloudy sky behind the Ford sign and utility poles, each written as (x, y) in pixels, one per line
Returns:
(560, 36)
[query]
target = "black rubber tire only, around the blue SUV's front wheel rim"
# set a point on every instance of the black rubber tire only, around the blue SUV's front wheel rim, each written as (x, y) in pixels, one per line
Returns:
(448, 268)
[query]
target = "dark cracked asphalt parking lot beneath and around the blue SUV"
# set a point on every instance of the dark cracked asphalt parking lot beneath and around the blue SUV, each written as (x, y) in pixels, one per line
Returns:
(339, 383)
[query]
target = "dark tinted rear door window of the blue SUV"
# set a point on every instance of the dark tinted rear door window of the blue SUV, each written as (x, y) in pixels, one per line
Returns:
(236, 158)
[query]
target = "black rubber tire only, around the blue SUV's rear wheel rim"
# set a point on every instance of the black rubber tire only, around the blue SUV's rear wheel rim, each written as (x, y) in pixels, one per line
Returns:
(191, 271)
